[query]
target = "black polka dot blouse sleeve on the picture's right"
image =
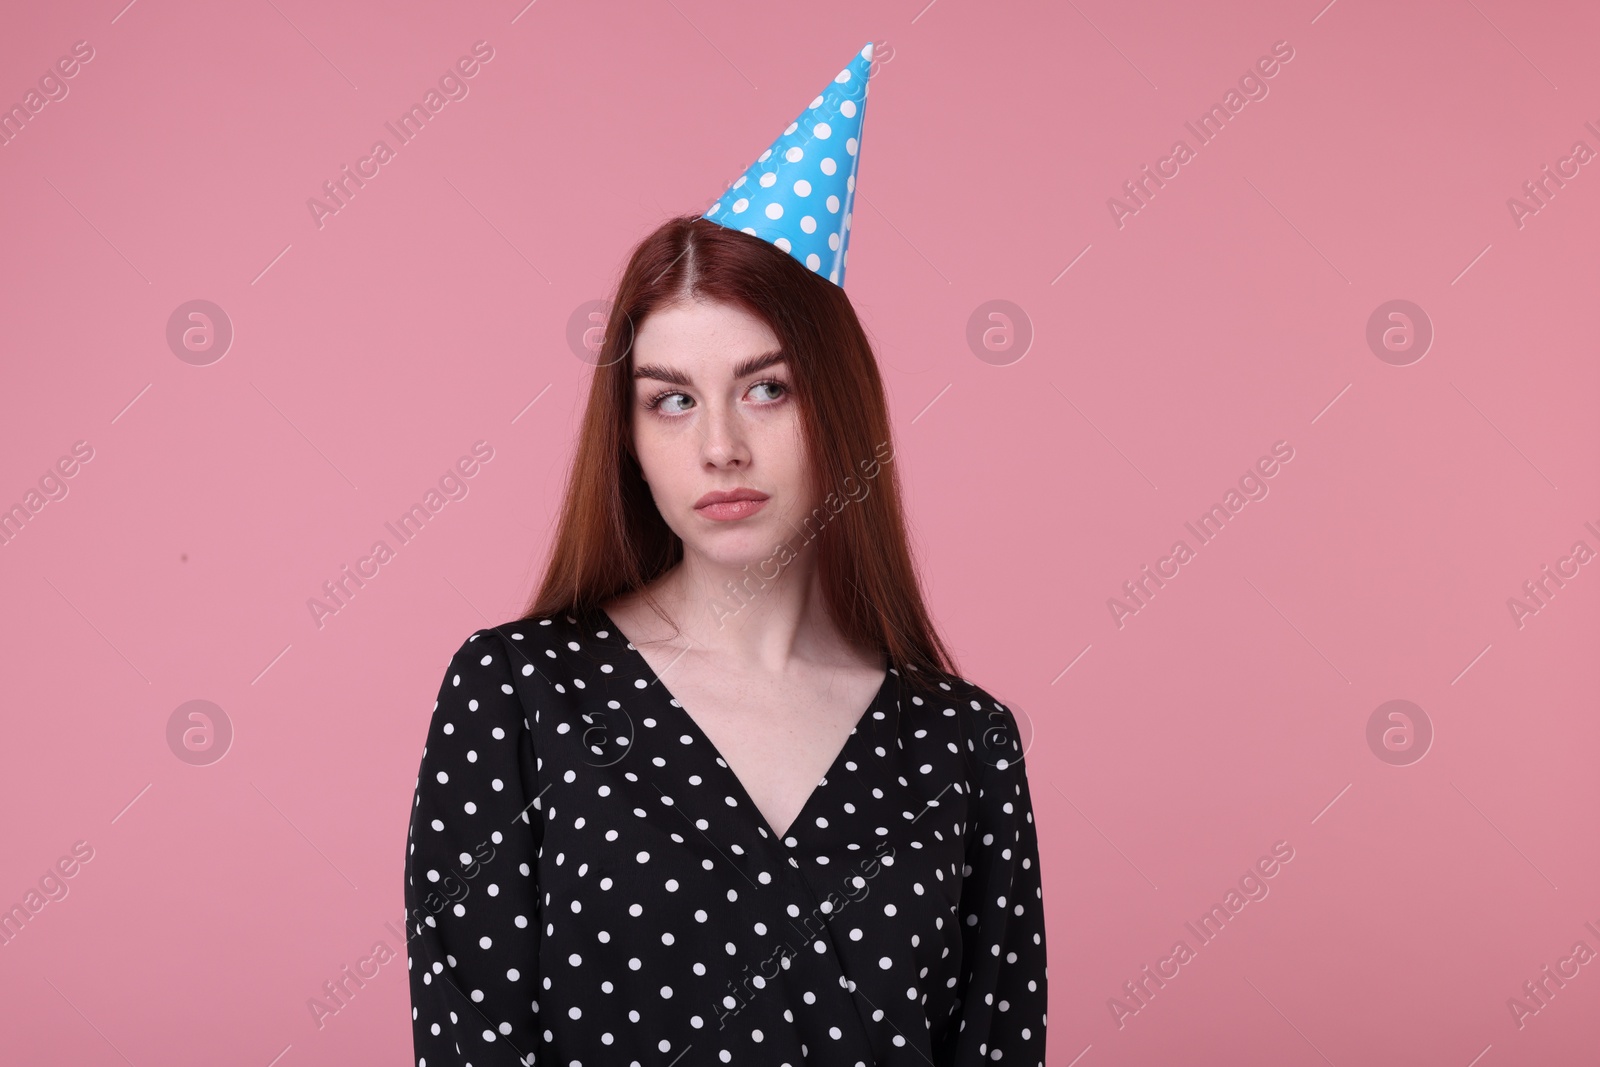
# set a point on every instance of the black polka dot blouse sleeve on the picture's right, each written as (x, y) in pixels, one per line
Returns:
(1004, 999)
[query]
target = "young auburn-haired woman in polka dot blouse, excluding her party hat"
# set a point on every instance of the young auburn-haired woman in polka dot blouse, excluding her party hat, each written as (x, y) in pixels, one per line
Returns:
(721, 796)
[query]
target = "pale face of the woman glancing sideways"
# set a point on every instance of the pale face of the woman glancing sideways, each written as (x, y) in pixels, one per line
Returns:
(714, 412)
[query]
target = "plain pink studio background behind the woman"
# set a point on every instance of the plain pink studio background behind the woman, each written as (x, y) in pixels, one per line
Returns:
(433, 311)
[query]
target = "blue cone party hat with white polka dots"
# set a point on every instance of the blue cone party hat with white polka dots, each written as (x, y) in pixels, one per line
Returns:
(801, 193)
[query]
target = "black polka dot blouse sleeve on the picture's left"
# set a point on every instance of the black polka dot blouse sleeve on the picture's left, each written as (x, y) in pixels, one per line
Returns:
(471, 897)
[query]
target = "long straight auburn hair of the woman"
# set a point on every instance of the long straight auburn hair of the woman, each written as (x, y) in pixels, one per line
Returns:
(612, 540)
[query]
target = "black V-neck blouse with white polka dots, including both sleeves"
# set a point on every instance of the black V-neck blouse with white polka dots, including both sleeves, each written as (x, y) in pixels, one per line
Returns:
(590, 885)
